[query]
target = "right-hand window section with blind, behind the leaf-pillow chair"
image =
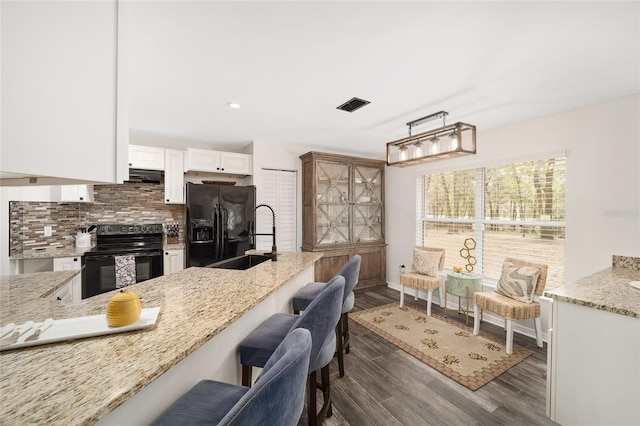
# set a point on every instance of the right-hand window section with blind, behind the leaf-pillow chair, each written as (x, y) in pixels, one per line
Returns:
(524, 213)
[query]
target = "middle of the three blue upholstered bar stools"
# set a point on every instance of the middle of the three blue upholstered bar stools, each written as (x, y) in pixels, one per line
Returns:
(320, 318)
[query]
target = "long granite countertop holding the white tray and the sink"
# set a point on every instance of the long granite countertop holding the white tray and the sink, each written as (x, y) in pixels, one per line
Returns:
(81, 381)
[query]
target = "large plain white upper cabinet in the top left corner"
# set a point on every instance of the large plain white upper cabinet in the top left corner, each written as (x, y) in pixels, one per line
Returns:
(63, 91)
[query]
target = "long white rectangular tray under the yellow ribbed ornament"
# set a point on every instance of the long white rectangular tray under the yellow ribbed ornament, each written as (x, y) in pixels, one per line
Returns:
(81, 327)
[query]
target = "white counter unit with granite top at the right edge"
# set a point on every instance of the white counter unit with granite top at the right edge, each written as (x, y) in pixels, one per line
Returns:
(593, 365)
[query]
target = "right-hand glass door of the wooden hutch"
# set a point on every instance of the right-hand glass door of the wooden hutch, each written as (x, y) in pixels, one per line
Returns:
(367, 207)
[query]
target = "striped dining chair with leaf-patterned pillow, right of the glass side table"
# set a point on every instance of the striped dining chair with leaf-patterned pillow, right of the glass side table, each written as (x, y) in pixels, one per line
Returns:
(519, 282)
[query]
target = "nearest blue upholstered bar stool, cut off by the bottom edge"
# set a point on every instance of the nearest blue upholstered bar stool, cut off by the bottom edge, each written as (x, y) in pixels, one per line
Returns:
(277, 397)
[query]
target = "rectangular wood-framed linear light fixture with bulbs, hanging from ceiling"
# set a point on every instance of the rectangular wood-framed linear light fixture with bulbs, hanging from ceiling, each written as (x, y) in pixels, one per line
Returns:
(437, 144)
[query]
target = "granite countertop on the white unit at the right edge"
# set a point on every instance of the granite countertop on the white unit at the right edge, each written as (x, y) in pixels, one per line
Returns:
(607, 290)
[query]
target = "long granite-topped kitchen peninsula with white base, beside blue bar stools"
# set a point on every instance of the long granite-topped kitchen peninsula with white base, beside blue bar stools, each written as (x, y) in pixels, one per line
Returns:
(131, 377)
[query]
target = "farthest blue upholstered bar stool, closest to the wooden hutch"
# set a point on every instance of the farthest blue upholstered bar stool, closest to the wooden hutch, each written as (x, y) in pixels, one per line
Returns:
(303, 297)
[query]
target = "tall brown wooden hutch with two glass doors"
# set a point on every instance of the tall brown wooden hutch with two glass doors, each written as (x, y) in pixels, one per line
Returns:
(343, 214)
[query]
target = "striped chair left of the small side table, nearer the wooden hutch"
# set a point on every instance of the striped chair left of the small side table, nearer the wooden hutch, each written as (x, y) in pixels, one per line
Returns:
(427, 263)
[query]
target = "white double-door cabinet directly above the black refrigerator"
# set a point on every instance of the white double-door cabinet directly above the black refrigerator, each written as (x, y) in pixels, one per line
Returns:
(205, 160)
